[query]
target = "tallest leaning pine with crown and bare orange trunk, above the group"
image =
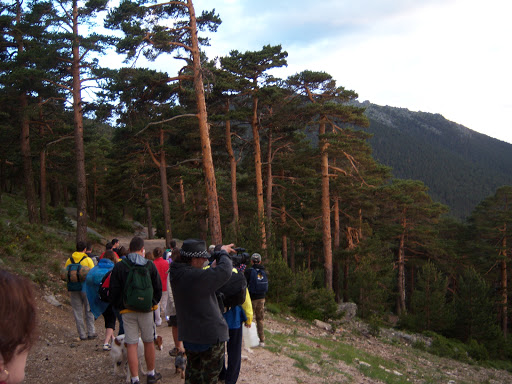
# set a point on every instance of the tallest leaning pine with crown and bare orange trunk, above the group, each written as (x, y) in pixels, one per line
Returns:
(147, 30)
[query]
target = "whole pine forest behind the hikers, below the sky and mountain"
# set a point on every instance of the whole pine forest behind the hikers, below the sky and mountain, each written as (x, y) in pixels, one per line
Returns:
(224, 151)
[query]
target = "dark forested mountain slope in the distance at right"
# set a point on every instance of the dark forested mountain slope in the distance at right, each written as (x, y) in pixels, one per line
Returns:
(461, 167)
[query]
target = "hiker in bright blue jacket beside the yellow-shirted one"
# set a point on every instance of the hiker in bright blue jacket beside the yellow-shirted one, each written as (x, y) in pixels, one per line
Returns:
(99, 307)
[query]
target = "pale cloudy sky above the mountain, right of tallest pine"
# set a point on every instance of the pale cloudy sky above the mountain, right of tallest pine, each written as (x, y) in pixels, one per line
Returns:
(452, 57)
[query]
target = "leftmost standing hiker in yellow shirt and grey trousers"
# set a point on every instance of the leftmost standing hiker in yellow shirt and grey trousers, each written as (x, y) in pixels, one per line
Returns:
(78, 297)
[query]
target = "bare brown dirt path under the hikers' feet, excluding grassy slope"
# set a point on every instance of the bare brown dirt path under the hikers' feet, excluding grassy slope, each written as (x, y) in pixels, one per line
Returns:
(59, 358)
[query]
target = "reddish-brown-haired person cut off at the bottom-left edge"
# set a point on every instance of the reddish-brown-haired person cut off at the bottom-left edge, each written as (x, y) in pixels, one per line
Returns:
(17, 326)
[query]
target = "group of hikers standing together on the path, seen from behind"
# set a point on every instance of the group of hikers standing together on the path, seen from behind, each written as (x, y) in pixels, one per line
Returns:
(182, 291)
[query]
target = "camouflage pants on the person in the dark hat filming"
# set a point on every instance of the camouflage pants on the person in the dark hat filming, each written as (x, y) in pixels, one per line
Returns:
(204, 367)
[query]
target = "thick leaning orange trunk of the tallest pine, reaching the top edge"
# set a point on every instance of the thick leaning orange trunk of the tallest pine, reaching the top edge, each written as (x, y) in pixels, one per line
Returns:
(204, 132)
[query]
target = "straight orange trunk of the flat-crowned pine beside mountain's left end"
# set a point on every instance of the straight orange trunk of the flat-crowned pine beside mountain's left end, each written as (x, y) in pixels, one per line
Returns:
(326, 209)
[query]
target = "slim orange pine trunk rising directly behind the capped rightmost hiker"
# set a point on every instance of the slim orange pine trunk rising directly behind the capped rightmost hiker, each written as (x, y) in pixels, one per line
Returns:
(258, 173)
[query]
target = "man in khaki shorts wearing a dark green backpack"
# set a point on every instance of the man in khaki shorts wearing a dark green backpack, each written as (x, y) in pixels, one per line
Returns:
(136, 289)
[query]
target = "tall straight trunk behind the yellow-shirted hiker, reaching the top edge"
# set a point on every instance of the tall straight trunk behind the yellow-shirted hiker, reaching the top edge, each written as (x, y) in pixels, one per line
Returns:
(81, 185)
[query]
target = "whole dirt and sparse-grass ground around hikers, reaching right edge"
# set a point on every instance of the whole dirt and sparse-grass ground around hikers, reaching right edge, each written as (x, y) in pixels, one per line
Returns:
(60, 358)
